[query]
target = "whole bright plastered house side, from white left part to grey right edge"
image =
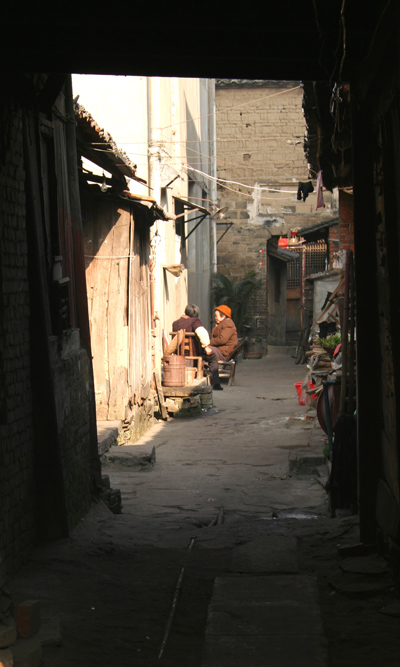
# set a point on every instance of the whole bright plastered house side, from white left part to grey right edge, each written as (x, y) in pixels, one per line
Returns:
(175, 110)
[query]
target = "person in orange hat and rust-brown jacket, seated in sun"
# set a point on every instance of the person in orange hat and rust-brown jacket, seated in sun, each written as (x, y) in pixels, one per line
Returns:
(222, 342)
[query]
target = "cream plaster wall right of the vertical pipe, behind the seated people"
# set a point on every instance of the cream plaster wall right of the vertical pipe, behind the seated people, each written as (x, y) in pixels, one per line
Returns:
(182, 140)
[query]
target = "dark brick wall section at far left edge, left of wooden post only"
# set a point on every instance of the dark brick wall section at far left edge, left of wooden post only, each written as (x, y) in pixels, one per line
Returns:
(17, 502)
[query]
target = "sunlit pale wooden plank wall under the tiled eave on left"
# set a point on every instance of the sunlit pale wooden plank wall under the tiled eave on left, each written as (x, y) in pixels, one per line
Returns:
(118, 289)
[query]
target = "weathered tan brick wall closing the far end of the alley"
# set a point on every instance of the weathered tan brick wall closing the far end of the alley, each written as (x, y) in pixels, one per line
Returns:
(260, 133)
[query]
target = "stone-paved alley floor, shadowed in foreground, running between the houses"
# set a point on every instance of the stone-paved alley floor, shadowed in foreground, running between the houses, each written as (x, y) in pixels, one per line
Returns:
(137, 589)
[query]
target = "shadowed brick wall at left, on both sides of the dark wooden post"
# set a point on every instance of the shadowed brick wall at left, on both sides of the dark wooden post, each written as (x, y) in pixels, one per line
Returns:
(19, 441)
